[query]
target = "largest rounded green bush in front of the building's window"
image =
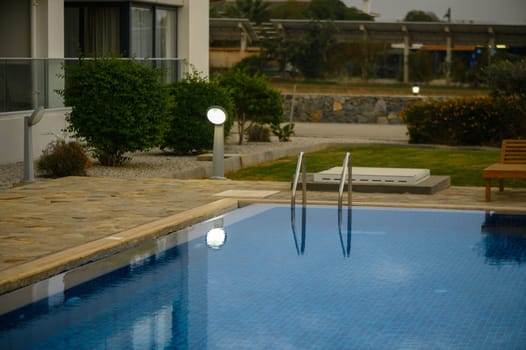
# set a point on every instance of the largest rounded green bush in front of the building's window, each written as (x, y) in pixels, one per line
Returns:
(118, 106)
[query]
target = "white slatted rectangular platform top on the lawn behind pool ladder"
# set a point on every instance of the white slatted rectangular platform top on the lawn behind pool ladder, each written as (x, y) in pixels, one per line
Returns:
(374, 175)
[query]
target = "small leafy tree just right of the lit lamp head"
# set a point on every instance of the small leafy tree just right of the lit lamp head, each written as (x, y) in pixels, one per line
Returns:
(254, 99)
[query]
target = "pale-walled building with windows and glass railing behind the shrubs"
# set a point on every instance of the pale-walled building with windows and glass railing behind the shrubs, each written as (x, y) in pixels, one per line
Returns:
(40, 36)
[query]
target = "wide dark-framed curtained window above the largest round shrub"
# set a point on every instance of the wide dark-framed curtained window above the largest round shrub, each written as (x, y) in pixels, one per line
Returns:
(134, 31)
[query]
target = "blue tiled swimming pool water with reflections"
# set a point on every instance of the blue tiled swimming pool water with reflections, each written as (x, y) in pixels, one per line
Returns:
(372, 278)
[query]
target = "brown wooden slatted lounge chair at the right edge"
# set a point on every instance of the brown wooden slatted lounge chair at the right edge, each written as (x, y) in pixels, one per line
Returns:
(512, 165)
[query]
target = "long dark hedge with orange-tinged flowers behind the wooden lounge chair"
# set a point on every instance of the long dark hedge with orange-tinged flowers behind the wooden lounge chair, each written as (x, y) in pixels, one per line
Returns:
(464, 121)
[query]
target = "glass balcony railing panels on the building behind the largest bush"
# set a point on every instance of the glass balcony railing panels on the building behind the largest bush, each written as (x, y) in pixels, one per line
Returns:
(26, 83)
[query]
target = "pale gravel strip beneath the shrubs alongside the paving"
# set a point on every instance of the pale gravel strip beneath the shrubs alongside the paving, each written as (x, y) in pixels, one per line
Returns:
(156, 163)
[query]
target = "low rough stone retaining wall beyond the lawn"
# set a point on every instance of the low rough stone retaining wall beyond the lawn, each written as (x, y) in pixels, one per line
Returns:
(348, 109)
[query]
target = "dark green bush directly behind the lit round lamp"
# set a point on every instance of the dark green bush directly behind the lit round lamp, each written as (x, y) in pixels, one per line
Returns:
(188, 127)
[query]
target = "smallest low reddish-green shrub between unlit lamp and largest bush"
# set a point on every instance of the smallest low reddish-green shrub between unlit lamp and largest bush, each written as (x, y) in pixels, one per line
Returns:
(61, 158)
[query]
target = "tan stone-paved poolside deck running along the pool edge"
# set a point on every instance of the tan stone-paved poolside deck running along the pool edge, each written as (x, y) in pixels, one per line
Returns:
(52, 225)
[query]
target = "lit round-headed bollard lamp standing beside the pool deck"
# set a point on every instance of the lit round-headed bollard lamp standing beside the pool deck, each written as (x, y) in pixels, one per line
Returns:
(217, 116)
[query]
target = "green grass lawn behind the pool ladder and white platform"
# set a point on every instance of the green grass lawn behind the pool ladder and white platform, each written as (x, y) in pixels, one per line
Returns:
(463, 165)
